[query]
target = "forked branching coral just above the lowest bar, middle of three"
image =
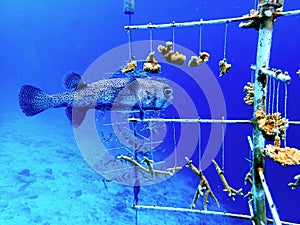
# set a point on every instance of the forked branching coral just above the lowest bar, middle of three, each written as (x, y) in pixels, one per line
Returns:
(203, 187)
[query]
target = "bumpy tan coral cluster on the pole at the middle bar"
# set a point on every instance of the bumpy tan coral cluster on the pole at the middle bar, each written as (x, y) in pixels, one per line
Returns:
(271, 125)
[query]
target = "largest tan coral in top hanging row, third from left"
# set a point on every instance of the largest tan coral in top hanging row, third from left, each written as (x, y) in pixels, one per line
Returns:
(169, 54)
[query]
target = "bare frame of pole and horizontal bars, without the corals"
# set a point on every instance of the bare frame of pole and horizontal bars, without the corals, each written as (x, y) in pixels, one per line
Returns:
(261, 19)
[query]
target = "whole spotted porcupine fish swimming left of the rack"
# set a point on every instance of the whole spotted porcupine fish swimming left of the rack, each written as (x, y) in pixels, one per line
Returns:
(120, 94)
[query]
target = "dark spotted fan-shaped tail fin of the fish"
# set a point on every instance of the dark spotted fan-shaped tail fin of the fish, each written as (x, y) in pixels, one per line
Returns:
(33, 100)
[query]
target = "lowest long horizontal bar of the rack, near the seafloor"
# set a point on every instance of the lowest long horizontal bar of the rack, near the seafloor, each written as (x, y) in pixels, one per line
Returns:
(205, 212)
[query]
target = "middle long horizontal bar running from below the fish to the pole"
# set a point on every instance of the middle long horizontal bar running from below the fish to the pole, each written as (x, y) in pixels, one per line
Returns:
(189, 120)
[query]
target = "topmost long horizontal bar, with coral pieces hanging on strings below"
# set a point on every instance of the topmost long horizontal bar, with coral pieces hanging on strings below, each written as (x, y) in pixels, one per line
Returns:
(206, 22)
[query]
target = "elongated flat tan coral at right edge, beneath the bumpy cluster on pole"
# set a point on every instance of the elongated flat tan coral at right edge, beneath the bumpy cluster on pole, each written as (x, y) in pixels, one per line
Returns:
(285, 156)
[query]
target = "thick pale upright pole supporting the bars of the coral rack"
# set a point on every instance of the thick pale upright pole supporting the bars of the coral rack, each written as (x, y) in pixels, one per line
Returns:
(262, 60)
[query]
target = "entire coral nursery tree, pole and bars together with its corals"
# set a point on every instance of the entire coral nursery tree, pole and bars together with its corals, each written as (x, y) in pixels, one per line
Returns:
(267, 126)
